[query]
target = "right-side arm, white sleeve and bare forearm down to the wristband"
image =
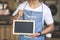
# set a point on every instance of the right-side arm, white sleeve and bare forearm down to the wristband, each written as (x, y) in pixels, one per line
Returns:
(48, 20)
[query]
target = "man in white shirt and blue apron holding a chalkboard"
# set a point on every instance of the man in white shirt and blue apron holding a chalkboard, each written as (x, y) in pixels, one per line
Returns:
(39, 12)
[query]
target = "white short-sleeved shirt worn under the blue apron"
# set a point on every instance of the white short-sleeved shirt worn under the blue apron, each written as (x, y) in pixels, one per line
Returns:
(44, 8)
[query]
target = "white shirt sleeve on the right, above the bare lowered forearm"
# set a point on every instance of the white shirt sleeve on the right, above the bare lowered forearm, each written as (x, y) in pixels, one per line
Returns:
(48, 16)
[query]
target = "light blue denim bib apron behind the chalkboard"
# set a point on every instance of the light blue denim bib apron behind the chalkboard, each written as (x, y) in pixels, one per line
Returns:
(38, 18)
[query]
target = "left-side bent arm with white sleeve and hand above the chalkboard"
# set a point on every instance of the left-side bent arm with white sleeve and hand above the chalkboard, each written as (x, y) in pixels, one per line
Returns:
(19, 10)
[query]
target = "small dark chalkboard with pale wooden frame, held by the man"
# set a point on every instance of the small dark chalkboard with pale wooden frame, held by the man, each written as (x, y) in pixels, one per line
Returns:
(23, 27)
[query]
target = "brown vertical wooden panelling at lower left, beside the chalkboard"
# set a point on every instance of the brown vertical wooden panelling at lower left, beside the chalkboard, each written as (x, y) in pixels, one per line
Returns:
(6, 33)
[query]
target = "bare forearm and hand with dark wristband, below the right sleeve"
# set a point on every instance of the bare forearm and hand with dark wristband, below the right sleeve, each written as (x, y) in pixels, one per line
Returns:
(49, 29)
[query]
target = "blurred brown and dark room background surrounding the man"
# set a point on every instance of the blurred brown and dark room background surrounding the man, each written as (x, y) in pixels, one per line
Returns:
(7, 7)
